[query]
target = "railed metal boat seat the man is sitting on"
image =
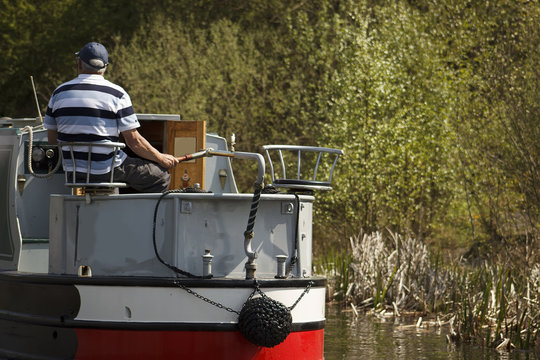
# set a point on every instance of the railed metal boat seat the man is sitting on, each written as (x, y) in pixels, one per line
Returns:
(88, 185)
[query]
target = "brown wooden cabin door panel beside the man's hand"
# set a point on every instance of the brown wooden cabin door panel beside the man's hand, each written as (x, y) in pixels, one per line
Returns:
(185, 137)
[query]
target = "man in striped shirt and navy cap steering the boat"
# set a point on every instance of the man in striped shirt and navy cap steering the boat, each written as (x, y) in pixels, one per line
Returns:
(92, 109)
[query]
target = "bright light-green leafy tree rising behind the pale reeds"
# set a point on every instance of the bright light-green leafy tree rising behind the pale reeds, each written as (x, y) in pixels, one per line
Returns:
(389, 112)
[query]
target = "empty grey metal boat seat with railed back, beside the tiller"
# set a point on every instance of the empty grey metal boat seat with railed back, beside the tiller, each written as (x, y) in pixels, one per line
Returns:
(290, 158)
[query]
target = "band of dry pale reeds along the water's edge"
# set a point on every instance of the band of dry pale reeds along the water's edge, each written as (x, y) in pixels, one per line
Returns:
(490, 304)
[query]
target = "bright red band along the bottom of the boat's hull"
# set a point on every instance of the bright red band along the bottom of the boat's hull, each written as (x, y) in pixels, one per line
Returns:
(140, 344)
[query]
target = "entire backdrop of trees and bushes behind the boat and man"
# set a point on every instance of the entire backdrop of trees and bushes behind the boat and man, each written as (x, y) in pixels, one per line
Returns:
(435, 104)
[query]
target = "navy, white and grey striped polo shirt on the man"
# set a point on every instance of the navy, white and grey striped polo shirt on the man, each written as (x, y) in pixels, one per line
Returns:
(90, 108)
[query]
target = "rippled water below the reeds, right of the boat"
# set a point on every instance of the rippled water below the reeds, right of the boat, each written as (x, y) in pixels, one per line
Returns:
(347, 338)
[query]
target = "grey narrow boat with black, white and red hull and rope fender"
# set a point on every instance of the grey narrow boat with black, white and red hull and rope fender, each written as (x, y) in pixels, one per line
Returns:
(94, 271)
